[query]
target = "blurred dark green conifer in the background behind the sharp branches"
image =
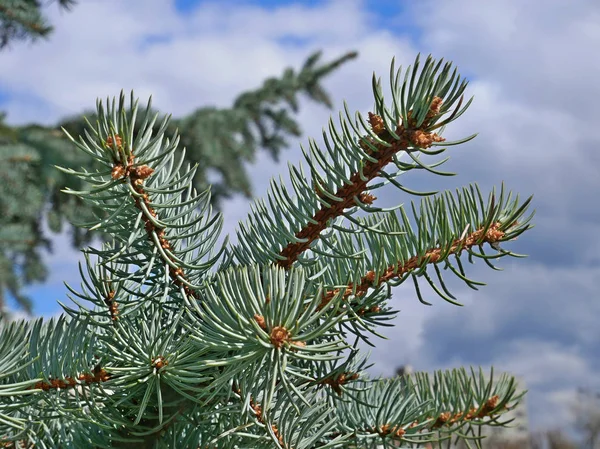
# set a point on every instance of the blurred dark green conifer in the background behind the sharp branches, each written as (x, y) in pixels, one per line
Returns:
(220, 140)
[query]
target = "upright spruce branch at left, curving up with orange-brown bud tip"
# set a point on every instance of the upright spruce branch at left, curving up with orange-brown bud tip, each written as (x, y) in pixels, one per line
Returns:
(129, 181)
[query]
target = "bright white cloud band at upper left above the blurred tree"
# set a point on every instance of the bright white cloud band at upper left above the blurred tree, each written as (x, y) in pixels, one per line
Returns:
(203, 58)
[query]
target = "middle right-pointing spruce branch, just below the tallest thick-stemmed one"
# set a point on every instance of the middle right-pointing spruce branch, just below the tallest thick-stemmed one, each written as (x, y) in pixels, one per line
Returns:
(397, 252)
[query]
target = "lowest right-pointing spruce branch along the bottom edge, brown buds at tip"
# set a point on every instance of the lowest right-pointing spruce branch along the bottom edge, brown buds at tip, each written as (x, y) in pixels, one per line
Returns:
(411, 409)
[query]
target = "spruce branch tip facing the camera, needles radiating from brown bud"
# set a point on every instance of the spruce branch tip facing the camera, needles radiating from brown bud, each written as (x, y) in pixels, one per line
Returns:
(249, 320)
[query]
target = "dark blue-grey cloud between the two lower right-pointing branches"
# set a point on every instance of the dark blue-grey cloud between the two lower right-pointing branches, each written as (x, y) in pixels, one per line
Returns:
(525, 301)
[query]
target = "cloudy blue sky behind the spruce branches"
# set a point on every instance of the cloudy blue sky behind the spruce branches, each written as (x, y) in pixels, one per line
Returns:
(532, 69)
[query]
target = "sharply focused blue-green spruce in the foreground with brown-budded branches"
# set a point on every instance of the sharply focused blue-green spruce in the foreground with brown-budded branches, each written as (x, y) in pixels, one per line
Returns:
(179, 342)
